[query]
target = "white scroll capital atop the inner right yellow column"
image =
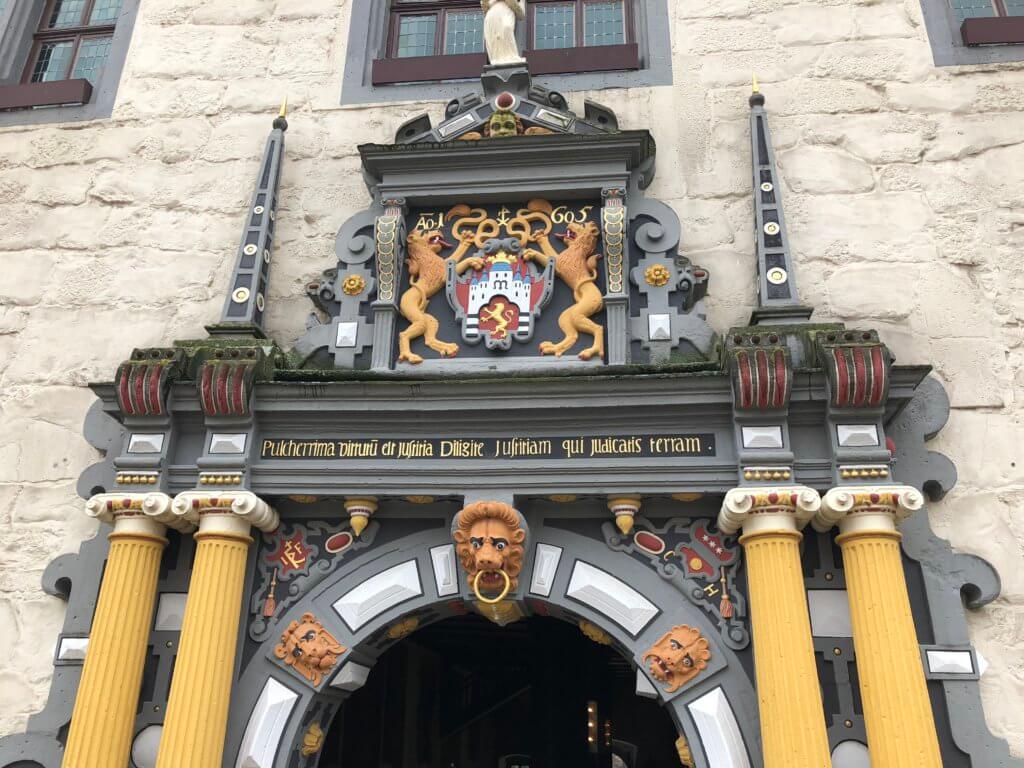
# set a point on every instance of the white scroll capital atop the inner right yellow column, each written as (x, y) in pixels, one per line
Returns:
(790, 507)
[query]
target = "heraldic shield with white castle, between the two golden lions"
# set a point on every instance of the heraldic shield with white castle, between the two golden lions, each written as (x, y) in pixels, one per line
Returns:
(502, 301)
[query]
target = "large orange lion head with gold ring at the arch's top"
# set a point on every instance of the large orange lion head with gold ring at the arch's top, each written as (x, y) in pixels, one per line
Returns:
(489, 539)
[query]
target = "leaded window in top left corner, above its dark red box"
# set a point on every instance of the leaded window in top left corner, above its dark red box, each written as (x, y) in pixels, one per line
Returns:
(73, 40)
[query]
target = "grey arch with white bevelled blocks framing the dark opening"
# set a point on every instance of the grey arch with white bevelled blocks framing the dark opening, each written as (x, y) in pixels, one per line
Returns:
(408, 573)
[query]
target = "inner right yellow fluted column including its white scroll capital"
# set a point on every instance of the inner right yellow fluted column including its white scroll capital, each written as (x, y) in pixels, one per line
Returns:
(793, 721)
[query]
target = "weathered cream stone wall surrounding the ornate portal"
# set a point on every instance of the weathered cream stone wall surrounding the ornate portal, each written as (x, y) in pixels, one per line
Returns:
(905, 191)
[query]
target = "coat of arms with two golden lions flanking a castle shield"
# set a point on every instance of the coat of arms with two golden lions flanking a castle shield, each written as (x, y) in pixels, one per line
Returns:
(500, 277)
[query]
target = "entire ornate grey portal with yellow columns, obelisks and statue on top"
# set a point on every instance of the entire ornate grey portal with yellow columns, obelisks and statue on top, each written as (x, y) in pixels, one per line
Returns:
(483, 418)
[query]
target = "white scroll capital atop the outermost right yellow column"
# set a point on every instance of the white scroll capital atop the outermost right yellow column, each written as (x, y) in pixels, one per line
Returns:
(860, 507)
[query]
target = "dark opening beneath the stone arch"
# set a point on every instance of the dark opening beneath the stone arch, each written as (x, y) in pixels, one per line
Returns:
(467, 694)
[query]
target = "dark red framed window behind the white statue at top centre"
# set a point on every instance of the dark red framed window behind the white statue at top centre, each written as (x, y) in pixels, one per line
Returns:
(444, 40)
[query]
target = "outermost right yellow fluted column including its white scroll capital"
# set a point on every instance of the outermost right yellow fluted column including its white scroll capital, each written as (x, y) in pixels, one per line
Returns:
(898, 711)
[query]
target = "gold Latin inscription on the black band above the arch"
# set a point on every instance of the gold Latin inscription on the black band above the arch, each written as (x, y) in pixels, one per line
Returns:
(599, 447)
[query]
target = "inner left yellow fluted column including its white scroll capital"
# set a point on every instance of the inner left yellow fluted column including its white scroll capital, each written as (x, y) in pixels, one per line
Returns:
(201, 689)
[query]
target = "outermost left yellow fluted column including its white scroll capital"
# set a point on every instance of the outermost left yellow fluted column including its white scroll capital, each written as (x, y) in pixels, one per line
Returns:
(105, 711)
